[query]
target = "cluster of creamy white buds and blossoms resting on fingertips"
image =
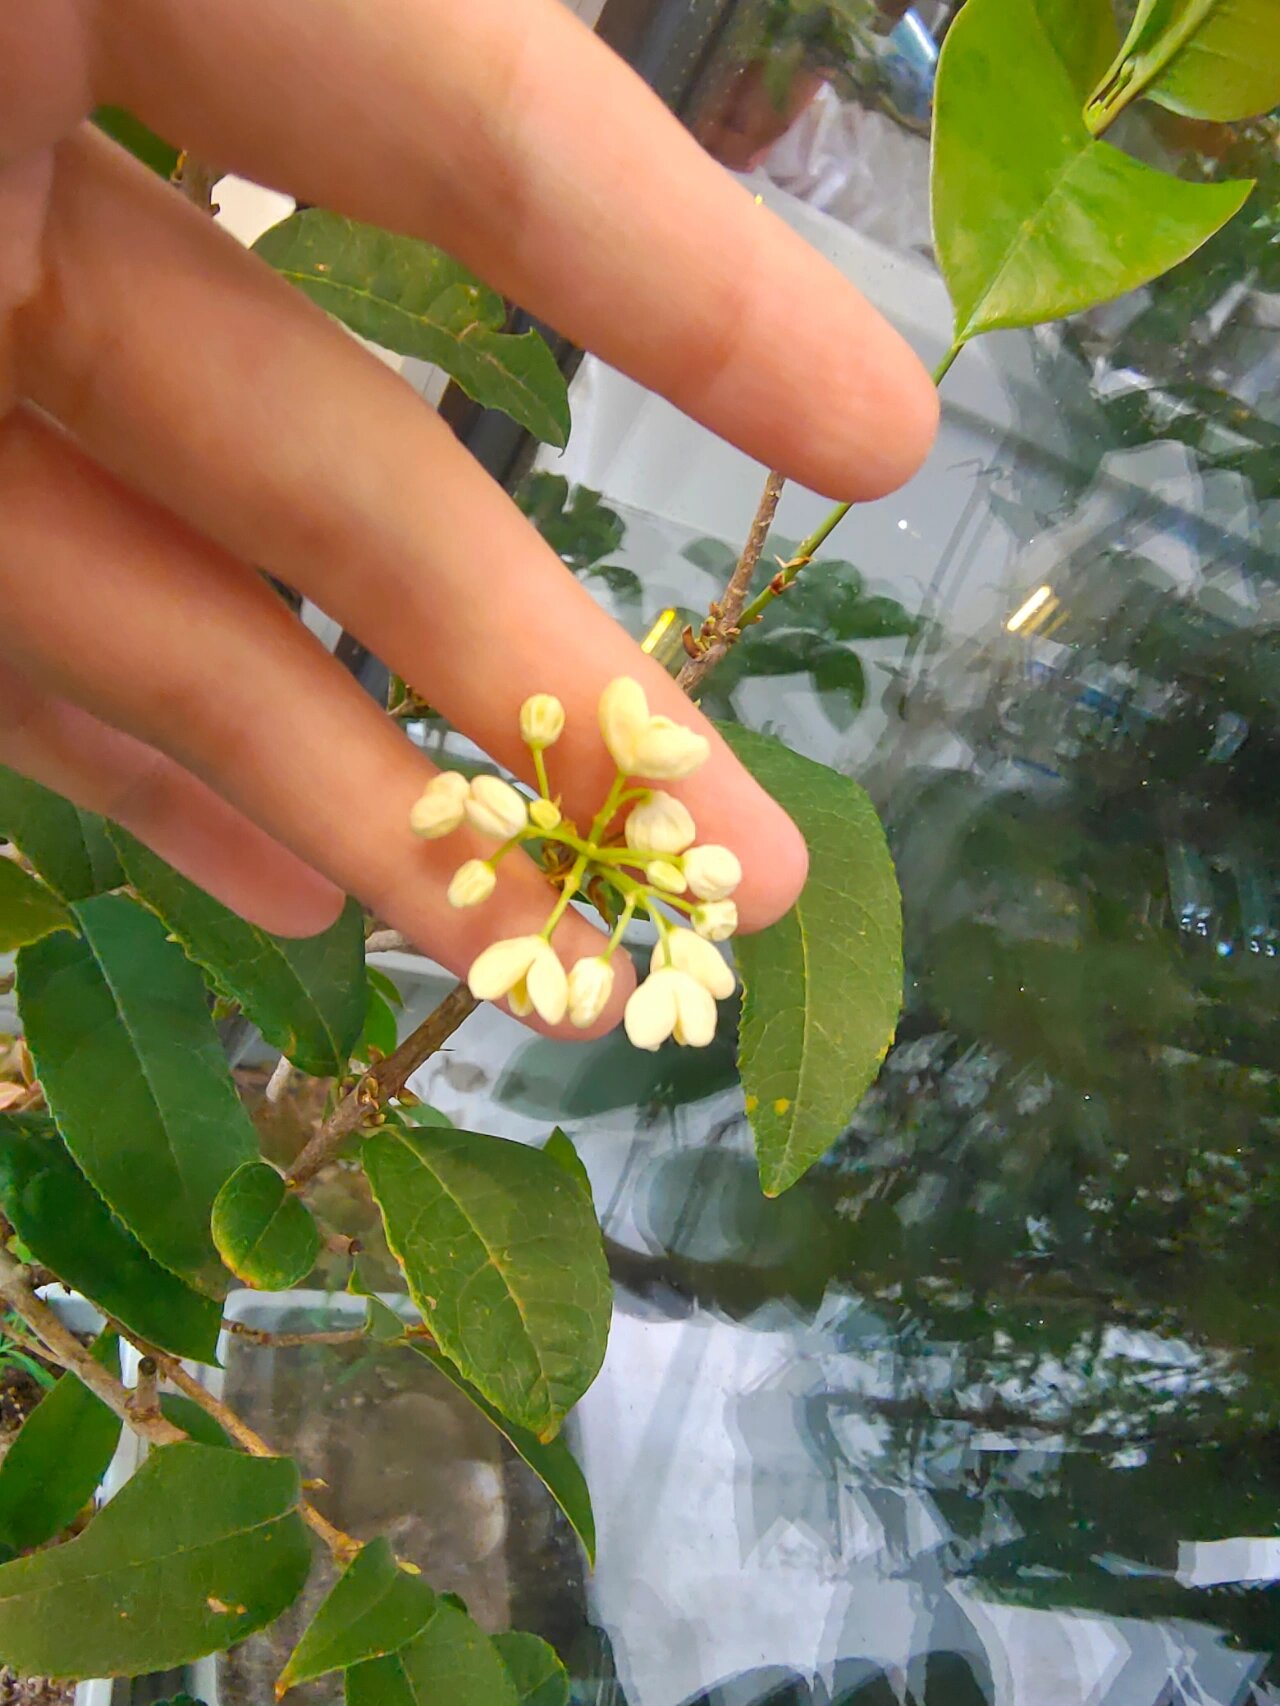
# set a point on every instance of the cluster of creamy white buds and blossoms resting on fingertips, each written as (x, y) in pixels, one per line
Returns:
(651, 866)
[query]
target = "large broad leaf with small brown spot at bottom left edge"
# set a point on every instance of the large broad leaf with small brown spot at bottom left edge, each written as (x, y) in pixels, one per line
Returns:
(197, 1552)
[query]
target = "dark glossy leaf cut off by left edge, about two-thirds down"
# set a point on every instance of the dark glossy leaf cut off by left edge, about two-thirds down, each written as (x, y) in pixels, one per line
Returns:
(67, 1226)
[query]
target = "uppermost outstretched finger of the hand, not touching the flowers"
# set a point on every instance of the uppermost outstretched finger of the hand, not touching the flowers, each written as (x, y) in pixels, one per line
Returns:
(520, 142)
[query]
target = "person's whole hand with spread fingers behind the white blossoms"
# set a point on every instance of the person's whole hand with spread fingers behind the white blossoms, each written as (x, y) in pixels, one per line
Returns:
(175, 417)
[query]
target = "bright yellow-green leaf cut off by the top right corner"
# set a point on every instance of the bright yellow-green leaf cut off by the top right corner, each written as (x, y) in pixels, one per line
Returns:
(1206, 59)
